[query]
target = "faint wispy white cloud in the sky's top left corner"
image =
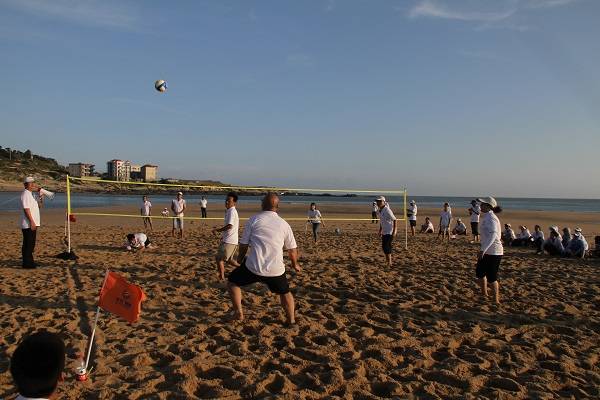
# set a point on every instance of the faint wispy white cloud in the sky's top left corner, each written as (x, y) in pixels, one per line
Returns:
(84, 12)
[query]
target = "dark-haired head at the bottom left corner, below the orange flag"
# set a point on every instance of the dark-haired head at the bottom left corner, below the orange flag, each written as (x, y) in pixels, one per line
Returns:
(37, 364)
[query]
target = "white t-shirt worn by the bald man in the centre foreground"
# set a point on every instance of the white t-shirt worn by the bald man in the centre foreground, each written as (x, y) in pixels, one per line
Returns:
(268, 235)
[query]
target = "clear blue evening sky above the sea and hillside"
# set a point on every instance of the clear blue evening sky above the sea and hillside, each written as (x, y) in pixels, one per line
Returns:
(444, 97)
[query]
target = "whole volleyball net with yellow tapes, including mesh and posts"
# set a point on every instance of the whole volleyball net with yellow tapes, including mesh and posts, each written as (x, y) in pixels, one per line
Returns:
(103, 187)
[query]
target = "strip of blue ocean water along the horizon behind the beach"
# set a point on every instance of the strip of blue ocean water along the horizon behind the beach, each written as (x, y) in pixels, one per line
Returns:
(9, 201)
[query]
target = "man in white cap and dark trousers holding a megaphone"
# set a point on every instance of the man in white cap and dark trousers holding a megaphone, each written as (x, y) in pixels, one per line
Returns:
(30, 221)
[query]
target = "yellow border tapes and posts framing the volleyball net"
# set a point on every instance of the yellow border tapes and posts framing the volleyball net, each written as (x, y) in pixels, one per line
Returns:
(70, 212)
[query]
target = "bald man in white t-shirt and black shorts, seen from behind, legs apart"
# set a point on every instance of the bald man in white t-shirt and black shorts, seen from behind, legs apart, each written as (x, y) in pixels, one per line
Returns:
(265, 237)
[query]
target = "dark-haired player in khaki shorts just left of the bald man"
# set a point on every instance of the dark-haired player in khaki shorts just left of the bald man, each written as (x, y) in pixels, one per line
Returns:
(229, 237)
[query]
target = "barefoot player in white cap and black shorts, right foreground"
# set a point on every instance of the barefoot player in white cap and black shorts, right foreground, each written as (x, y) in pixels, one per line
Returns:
(490, 254)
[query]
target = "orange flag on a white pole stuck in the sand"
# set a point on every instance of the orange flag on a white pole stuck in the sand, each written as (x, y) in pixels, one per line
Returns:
(121, 297)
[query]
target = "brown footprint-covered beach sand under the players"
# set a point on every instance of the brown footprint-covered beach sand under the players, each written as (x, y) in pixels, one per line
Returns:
(364, 330)
